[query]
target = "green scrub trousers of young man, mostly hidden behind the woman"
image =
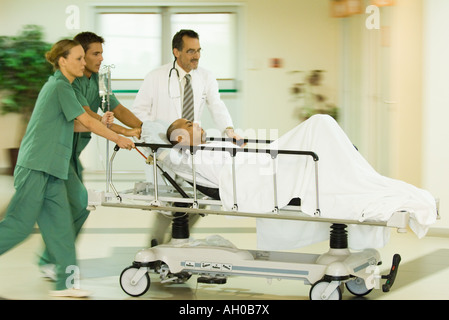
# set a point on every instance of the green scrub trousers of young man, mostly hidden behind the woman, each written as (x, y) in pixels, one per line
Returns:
(78, 199)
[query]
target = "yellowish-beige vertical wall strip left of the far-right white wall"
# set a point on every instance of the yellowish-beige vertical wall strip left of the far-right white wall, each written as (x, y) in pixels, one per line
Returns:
(407, 72)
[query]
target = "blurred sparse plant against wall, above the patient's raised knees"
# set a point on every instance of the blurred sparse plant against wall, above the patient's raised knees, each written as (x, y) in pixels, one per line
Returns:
(310, 100)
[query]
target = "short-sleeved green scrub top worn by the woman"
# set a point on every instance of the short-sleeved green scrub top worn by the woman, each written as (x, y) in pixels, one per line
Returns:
(47, 144)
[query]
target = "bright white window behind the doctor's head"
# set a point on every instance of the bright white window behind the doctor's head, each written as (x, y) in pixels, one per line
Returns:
(138, 39)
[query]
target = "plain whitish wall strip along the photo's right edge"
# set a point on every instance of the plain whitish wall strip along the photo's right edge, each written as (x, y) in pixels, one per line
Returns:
(435, 104)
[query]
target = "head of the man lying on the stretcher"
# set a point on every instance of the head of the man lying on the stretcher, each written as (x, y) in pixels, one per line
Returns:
(186, 133)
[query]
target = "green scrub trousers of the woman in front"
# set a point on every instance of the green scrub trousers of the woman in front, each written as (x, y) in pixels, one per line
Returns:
(41, 198)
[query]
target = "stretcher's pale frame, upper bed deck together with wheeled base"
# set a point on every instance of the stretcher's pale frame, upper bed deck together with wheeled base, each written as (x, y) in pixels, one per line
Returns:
(177, 261)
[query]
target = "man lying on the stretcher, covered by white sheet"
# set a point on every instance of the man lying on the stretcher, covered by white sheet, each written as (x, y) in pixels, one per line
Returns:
(349, 188)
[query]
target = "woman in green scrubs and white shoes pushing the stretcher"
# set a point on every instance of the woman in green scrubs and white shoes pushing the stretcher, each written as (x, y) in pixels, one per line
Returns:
(42, 167)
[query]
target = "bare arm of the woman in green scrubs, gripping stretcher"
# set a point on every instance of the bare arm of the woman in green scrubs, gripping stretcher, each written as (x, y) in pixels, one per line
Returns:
(98, 128)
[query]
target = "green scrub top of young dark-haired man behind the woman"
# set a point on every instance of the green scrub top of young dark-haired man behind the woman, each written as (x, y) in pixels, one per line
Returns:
(88, 94)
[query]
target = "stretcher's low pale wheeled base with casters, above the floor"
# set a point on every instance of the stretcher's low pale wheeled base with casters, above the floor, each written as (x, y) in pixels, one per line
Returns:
(327, 273)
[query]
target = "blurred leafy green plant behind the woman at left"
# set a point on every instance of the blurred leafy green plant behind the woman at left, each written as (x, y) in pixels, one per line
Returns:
(23, 70)
